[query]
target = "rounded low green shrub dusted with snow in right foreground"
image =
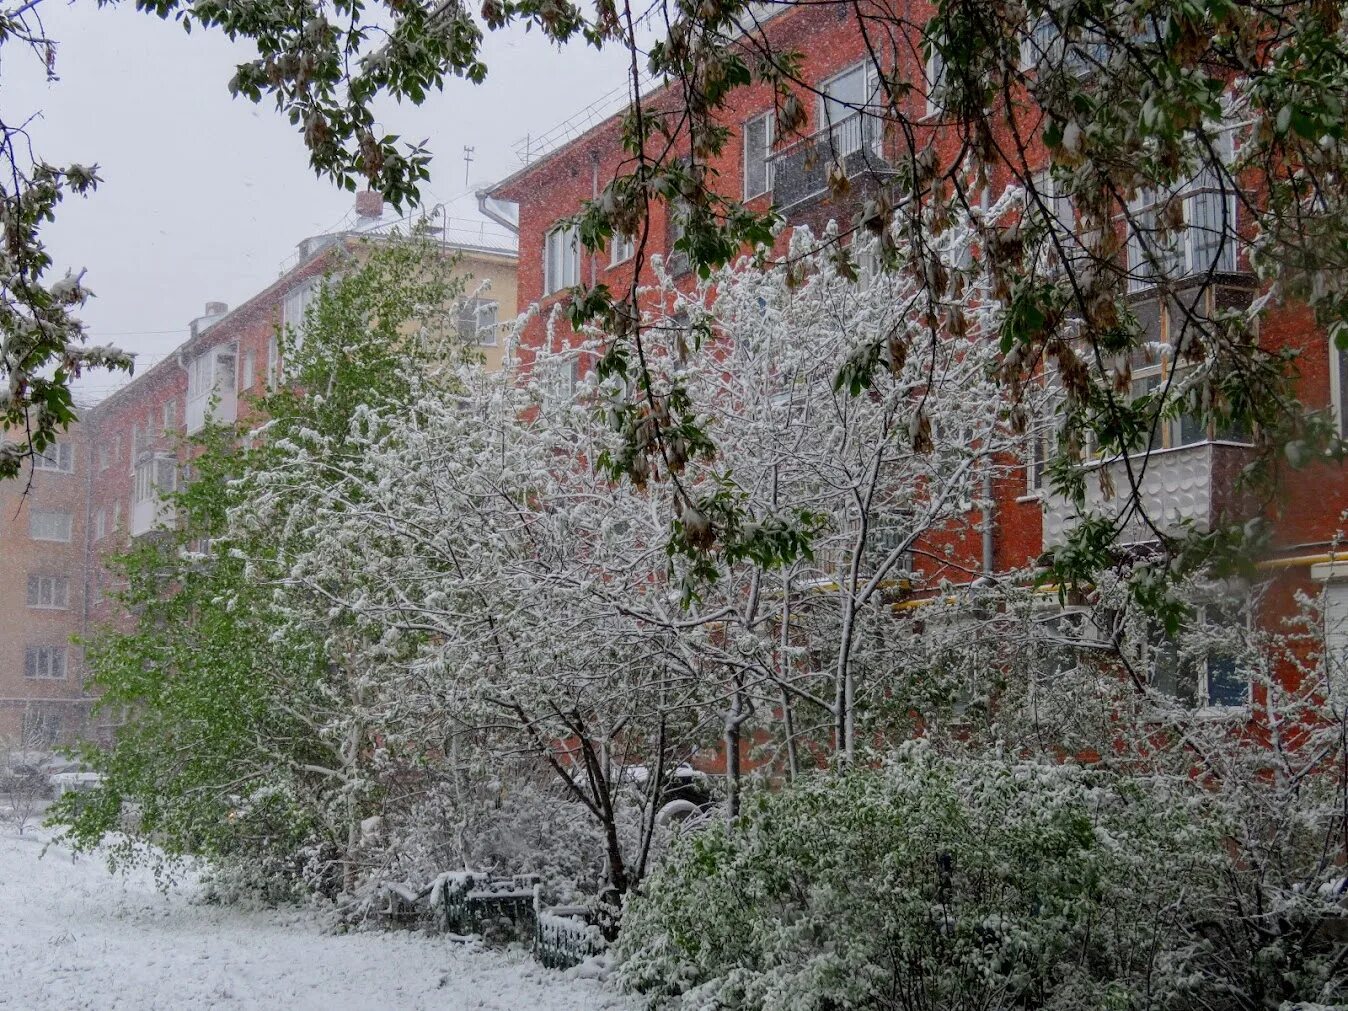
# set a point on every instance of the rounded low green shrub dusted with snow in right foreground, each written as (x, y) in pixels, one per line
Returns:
(939, 882)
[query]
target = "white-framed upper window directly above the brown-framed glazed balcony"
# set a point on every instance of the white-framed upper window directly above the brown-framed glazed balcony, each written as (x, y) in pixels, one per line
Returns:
(1206, 241)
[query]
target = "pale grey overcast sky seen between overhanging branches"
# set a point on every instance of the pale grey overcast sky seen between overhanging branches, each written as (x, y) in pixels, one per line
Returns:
(206, 196)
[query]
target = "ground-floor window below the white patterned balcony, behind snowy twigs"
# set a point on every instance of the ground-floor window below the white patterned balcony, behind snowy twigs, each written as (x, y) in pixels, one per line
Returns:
(1203, 667)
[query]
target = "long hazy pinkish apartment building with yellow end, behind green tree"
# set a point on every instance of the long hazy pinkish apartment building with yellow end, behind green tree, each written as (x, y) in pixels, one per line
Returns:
(110, 478)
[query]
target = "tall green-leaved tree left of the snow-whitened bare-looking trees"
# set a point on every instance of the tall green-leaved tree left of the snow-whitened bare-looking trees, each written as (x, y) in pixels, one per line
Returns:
(250, 739)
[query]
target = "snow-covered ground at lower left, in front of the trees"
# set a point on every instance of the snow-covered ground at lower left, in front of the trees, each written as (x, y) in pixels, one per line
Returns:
(72, 936)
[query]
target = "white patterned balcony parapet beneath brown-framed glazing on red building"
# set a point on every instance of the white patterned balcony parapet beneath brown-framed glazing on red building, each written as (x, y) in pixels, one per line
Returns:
(1187, 485)
